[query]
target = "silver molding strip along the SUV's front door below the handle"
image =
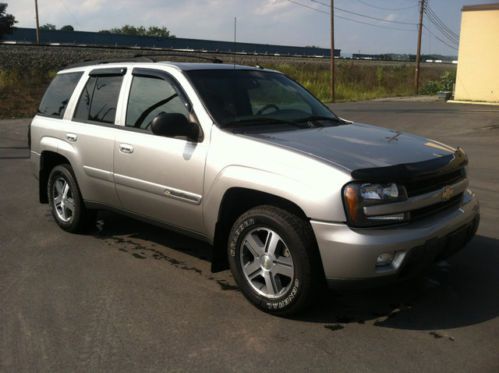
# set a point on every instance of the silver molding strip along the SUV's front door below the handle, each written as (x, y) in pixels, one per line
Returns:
(158, 189)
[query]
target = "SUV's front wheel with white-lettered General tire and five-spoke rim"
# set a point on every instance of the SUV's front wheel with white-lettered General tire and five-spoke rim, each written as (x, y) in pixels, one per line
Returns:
(273, 258)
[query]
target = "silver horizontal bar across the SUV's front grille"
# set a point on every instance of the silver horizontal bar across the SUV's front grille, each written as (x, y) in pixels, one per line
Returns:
(417, 202)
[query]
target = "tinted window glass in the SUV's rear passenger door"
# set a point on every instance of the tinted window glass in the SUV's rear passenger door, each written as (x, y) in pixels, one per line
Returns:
(99, 99)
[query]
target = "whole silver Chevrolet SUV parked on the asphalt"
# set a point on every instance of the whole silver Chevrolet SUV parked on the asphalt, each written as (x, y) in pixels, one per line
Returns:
(289, 195)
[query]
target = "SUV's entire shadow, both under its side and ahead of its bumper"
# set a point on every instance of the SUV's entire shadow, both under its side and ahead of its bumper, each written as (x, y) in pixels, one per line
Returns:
(456, 293)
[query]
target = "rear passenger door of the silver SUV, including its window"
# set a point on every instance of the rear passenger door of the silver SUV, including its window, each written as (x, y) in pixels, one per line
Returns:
(92, 132)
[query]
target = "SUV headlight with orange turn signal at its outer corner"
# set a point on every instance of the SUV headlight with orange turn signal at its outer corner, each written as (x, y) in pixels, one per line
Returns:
(356, 196)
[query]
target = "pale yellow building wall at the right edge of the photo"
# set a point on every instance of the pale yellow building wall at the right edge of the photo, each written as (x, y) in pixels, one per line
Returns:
(478, 62)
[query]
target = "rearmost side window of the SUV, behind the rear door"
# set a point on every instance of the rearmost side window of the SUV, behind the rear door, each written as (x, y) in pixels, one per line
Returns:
(56, 98)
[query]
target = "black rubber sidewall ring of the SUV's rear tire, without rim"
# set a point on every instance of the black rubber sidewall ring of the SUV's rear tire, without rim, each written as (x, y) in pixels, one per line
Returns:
(64, 171)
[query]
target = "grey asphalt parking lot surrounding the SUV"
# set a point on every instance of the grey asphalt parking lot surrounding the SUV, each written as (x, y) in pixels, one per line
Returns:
(133, 297)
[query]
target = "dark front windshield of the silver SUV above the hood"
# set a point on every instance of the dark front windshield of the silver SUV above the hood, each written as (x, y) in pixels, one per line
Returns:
(256, 97)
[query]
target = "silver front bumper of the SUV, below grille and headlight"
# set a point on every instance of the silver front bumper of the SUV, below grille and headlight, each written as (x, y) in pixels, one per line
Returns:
(350, 254)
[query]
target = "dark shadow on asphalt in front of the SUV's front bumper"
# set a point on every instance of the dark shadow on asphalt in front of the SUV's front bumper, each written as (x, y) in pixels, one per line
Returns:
(461, 292)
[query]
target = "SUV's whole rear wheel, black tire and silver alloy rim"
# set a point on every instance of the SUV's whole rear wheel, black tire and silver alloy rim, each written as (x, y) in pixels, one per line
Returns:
(65, 200)
